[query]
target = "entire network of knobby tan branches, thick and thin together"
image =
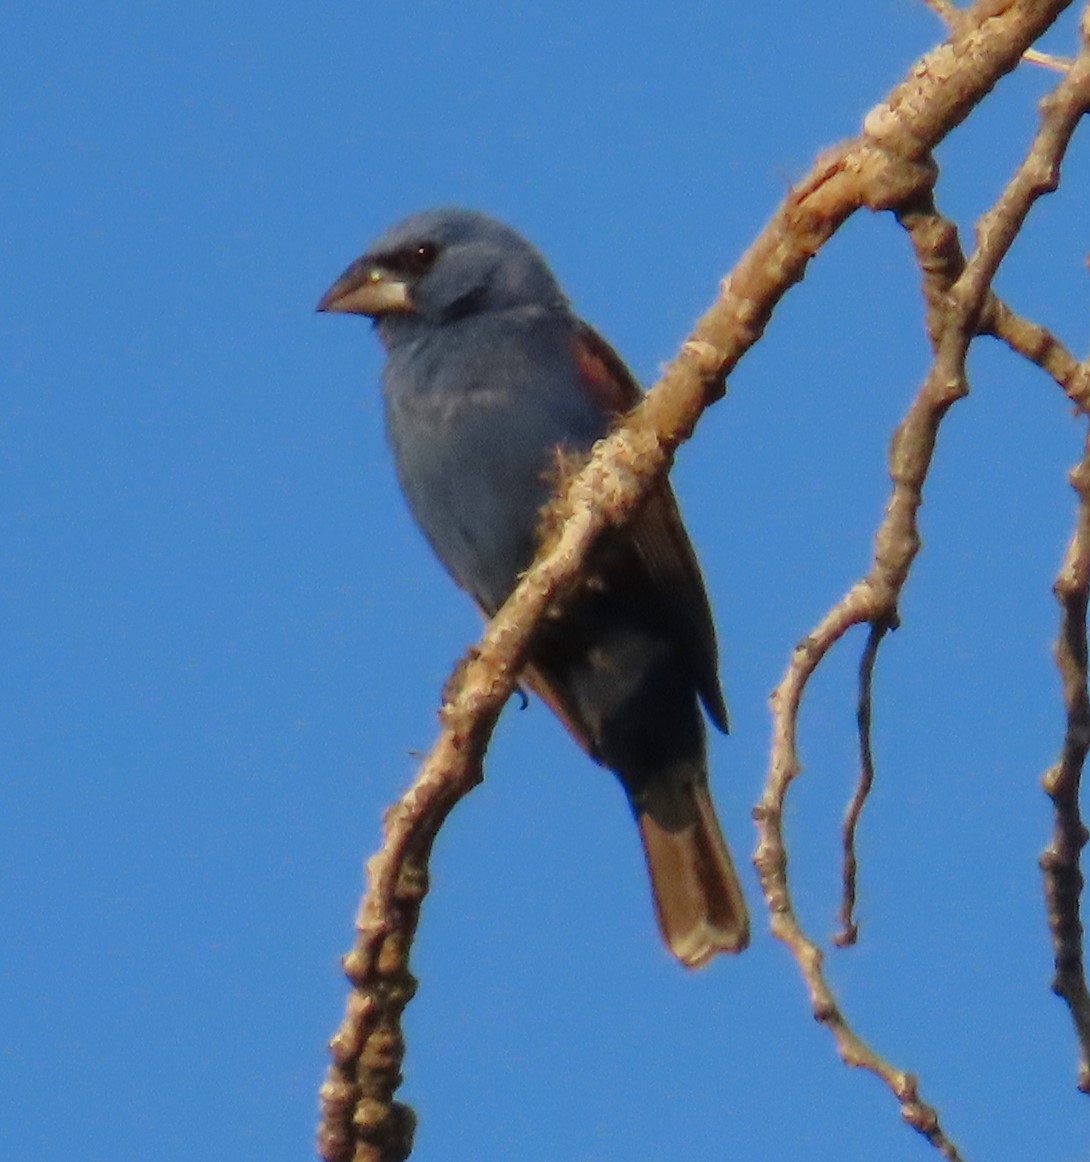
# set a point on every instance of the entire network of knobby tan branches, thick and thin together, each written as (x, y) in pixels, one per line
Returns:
(887, 168)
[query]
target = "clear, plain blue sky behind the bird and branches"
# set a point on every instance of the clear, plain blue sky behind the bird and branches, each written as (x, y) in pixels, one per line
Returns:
(224, 641)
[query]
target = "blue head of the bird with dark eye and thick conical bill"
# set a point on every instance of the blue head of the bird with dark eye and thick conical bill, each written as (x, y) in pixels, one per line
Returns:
(444, 264)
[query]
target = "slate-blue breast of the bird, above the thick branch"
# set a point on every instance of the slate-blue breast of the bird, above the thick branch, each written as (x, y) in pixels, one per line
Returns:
(476, 429)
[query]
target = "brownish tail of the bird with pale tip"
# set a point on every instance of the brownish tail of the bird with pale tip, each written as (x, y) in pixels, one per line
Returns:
(698, 898)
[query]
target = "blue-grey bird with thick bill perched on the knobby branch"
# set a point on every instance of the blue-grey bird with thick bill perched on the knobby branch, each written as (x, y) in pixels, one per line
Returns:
(491, 382)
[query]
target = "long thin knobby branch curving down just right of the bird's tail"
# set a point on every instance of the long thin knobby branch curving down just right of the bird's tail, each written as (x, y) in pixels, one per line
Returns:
(953, 322)
